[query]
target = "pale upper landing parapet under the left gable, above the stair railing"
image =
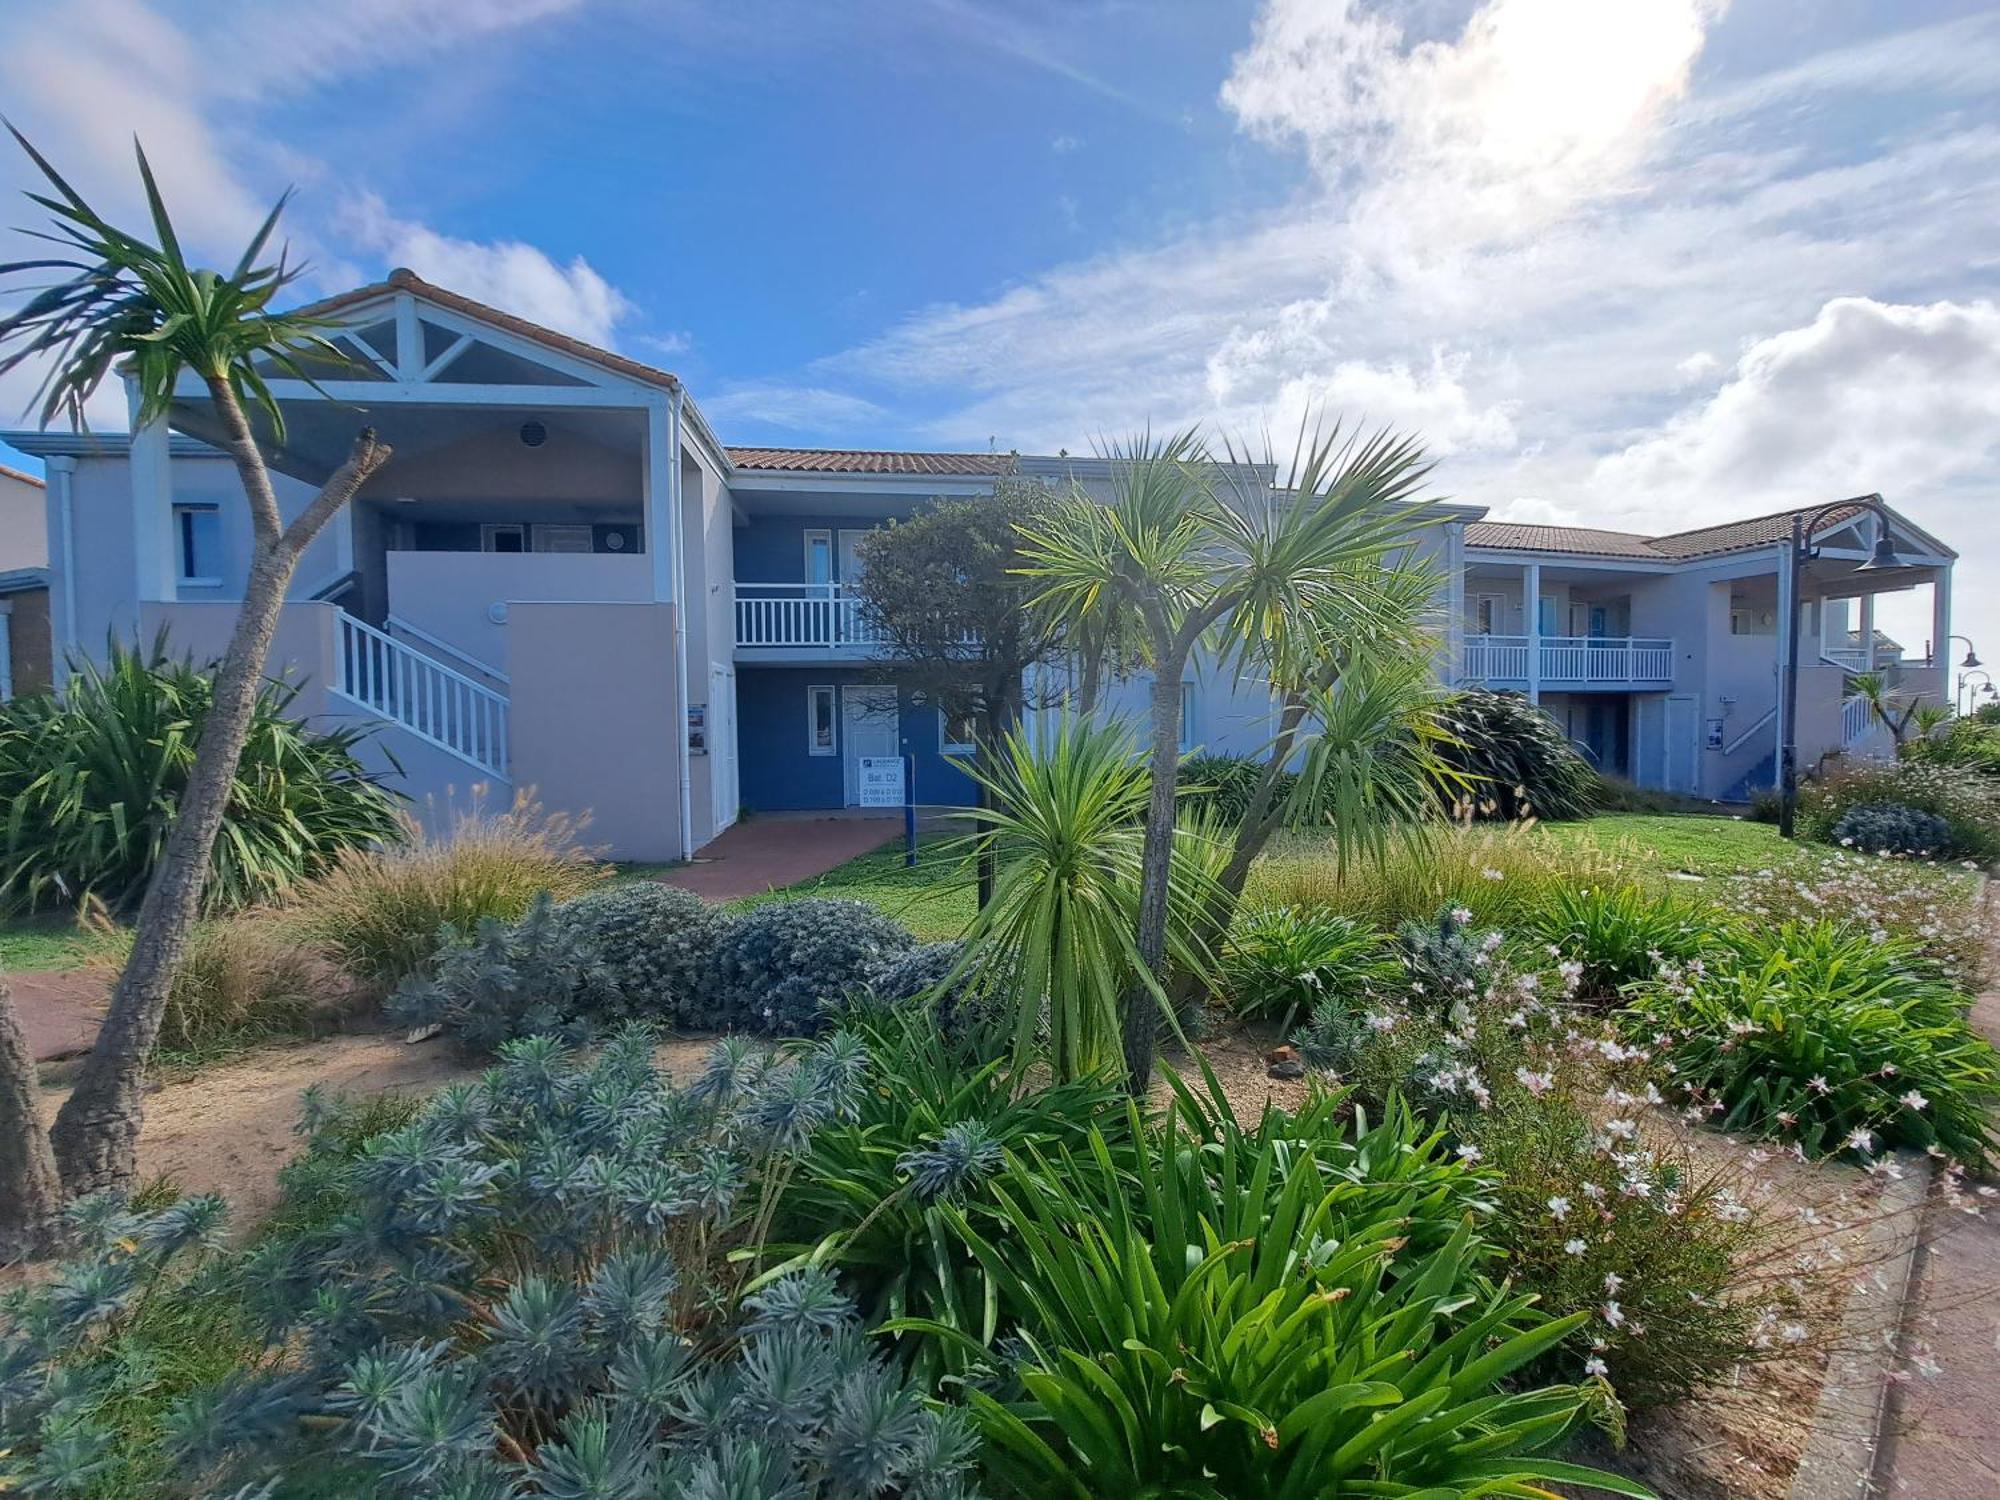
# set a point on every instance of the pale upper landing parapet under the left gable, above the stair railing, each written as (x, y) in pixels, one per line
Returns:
(453, 595)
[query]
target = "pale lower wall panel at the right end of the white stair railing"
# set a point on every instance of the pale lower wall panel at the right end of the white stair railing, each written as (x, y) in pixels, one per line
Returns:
(595, 721)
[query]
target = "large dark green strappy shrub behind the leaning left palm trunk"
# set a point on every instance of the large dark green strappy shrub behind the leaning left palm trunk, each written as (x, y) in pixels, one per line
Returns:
(91, 779)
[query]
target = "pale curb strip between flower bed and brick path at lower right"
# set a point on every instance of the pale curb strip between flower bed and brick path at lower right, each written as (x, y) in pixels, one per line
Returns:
(1845, 1445)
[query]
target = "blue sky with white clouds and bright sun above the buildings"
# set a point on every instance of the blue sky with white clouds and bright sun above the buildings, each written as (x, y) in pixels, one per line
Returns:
(1635, 265)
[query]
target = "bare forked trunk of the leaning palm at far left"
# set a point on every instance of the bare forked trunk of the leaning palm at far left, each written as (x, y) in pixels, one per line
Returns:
(97, 1129)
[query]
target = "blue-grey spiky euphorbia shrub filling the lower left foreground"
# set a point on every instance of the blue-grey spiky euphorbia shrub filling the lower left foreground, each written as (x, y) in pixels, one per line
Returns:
(527, 1295)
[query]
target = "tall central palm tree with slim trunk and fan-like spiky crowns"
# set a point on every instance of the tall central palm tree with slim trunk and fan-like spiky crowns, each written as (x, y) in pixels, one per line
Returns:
(1183, 553)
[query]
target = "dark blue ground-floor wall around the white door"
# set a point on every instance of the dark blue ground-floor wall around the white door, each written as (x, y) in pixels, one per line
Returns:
(775, 767)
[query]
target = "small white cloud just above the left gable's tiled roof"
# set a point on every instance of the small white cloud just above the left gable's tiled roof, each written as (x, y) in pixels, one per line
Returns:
(509, 275)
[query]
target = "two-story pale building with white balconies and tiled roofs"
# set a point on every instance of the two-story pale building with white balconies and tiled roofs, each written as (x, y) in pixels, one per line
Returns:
(567, 581)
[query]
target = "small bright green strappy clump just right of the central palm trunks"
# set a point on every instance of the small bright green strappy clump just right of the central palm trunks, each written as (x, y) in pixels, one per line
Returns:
(1283, 959)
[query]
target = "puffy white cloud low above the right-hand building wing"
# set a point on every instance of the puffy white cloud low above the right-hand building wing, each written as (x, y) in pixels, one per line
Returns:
(1867, 397)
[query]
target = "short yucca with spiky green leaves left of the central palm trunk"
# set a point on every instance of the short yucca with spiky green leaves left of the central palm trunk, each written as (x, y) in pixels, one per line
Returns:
(1061, 929)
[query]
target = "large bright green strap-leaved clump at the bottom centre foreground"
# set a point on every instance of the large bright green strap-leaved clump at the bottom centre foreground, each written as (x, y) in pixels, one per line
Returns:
(1209, 1335)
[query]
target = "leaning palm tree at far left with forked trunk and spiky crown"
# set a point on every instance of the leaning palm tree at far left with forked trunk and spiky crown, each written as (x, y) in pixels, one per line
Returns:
(123, 303)
